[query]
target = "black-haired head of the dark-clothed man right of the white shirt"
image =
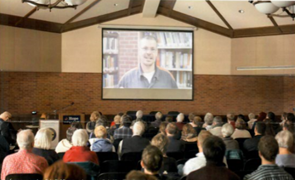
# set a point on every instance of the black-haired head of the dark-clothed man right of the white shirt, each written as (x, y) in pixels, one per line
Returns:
(214, 149)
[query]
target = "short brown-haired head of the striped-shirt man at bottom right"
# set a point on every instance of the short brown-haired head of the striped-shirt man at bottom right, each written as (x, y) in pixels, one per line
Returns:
(269, 148)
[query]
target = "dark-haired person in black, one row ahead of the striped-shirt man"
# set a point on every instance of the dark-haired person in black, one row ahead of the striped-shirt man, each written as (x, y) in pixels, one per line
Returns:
(252, 144)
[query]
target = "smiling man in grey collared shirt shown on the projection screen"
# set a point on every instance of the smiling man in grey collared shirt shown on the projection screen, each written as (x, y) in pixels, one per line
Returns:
(148, 75)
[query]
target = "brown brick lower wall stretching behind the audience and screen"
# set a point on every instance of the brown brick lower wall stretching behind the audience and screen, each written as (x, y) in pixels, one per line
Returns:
(22, 93)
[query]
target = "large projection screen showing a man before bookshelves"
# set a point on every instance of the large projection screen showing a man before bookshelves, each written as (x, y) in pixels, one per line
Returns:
(147, 64)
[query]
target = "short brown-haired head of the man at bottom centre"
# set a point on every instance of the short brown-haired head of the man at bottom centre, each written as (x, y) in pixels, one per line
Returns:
(152, 158)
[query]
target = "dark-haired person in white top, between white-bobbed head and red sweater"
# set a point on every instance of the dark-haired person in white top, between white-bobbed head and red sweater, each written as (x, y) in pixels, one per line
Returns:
(65, 144)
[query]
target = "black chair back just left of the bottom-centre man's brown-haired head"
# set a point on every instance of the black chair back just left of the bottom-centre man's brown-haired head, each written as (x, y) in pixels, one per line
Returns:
(118, 166)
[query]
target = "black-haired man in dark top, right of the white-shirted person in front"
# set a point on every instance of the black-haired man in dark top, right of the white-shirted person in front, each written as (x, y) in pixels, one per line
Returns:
(214, 151)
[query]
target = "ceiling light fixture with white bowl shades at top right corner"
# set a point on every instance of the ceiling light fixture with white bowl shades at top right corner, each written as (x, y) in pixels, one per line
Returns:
(270, 7)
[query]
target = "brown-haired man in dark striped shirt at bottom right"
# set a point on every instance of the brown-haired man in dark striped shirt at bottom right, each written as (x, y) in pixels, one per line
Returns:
(268, 150)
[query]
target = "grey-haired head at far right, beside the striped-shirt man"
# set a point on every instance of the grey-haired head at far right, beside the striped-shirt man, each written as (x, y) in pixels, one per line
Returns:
(285, 139)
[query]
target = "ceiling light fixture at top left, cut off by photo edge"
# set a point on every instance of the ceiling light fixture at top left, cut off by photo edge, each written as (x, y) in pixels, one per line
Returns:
(50, 4)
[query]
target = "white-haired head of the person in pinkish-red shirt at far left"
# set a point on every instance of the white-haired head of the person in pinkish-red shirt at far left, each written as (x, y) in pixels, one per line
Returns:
(25, 139)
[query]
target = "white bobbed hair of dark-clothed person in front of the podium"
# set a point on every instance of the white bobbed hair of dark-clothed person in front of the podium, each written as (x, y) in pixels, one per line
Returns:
(43, 139)
